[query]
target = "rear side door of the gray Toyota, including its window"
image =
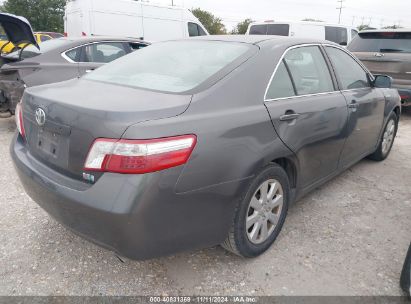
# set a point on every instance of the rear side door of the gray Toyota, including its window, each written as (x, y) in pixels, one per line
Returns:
(308, 112)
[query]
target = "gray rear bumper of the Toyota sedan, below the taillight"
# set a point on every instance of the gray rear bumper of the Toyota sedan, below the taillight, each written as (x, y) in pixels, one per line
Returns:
(137, 216)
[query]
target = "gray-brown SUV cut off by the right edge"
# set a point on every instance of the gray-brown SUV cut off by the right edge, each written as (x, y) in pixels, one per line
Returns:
(387, 52)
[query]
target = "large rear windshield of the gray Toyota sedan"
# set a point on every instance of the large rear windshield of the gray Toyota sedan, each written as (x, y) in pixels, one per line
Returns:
(174, 66)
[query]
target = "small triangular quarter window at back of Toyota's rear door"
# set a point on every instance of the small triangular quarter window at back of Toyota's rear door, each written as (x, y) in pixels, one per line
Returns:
(281, 86)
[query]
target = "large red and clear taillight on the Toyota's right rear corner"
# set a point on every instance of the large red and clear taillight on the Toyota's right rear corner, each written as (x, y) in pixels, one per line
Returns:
(139, 156)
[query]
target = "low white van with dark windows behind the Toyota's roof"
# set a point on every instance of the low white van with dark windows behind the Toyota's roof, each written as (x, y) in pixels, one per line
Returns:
(317, 30)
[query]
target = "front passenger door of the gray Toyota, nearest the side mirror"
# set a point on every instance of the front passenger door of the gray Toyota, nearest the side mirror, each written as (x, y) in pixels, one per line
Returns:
(365, 104)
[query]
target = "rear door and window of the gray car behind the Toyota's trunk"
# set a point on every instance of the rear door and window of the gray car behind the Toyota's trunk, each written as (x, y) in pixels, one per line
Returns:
(97, 54)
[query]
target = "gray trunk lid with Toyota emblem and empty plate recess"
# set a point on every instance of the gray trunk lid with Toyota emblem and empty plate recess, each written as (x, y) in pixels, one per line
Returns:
(63, 120)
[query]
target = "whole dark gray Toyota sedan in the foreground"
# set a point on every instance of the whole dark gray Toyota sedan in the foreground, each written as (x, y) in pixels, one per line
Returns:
(188, 144)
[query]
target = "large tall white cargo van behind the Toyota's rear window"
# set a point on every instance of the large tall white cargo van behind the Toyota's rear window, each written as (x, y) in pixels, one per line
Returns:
(128, 18)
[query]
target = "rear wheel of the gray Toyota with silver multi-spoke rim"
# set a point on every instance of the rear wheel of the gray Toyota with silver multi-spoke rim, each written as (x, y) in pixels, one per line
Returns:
(260, 215)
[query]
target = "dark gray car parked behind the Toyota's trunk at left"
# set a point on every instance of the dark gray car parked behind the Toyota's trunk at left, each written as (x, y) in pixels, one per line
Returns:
(57, 60)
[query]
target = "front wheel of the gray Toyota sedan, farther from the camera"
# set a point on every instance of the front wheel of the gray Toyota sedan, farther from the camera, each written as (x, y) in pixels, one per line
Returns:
(387, 139)
